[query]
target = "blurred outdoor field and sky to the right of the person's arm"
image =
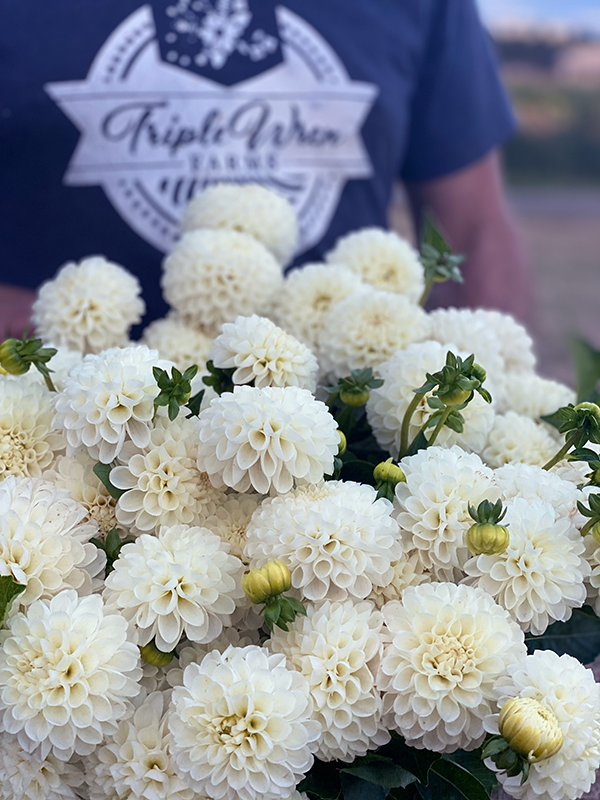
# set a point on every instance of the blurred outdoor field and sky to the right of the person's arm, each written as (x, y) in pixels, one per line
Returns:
(549, 51)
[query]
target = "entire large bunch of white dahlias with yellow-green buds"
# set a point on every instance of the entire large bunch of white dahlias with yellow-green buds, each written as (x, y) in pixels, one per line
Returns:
(304, 540)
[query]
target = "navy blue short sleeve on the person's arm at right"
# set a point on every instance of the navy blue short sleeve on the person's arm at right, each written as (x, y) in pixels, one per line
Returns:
(459, 110)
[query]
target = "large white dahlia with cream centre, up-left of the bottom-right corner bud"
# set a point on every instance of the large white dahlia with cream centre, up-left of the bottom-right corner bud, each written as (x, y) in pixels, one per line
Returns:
(449, 646)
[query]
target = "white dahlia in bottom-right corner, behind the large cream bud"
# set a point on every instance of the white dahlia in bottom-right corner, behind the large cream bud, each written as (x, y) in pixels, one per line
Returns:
(567, 689)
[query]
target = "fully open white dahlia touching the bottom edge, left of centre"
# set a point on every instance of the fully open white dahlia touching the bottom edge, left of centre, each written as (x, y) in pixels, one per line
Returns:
(242, 726)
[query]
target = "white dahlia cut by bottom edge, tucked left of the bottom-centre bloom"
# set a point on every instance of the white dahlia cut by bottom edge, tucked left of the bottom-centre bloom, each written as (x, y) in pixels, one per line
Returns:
(135, 762)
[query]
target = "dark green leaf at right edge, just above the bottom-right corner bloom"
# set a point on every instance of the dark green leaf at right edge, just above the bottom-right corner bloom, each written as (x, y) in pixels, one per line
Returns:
(579, 637)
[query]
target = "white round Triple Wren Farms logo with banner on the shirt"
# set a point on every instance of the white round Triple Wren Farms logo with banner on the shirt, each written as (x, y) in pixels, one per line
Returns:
(161, 118)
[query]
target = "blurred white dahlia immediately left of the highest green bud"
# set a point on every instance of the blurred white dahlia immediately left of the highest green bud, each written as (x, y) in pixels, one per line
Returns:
(383, 259)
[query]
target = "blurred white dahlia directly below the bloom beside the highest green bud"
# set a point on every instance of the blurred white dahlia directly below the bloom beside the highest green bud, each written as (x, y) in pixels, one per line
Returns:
(366, 329)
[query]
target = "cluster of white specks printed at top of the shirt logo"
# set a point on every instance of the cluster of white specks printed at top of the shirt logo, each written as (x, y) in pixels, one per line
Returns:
(218, 31)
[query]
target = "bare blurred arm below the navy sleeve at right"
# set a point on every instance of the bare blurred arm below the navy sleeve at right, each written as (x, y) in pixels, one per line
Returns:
(471, 209)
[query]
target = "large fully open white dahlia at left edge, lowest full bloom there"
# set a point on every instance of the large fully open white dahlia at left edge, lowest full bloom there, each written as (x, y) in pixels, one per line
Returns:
(85, 672)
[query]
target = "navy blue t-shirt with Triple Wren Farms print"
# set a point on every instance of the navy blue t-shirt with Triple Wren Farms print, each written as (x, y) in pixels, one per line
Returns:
(114, 113)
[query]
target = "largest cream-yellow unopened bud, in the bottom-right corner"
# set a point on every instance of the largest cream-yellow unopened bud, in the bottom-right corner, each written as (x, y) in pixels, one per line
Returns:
(530, 729)
